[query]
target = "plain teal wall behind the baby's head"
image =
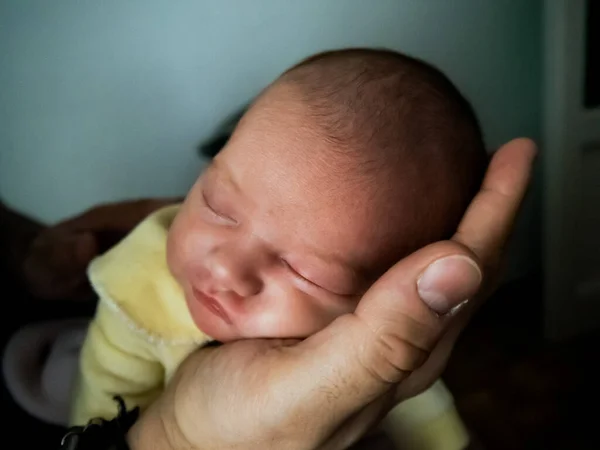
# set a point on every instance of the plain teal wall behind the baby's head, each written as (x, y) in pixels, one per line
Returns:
(104, 100)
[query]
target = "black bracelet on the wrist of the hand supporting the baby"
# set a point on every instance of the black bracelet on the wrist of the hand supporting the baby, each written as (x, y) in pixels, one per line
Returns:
(101, 434)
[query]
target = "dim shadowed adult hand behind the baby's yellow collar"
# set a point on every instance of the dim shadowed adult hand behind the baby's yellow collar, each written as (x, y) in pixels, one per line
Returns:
(57, 259)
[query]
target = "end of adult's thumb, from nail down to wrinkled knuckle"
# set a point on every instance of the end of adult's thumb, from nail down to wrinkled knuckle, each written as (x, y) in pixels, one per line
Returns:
(406, 311)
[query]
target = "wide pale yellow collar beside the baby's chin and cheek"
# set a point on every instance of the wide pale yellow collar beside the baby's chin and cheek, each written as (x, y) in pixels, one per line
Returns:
(134, 280)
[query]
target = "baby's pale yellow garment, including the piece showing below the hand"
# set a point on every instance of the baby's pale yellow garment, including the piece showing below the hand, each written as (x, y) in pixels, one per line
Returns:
(142, 331)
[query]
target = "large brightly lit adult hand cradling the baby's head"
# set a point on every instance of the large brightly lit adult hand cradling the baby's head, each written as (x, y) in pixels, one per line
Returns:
(330, 389)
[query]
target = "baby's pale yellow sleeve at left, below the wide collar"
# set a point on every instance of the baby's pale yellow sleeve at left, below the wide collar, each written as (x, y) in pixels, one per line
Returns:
(116, 359)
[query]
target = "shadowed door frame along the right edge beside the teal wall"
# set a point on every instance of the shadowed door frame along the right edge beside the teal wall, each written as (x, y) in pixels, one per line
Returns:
(571, 133)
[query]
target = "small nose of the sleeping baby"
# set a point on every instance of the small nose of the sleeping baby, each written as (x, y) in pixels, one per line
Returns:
(234, 273)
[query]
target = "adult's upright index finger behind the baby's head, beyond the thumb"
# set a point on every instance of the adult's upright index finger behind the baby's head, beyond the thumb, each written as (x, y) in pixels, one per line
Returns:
(489, 219)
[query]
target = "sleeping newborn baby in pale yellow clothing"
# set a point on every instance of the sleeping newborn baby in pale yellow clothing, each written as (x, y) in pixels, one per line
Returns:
(349, 161)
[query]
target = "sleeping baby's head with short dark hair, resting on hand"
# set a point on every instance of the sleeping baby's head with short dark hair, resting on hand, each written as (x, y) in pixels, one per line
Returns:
(349, 161)
